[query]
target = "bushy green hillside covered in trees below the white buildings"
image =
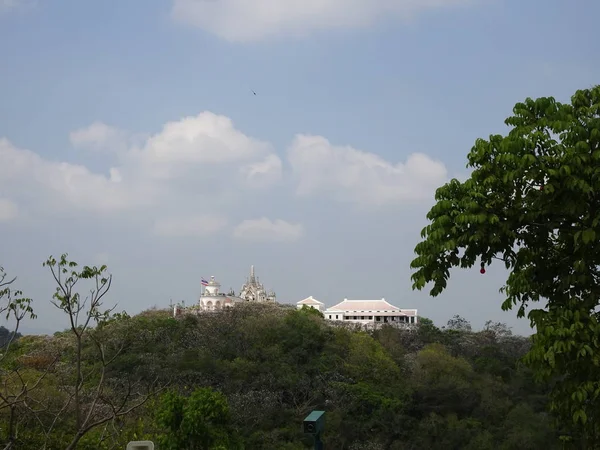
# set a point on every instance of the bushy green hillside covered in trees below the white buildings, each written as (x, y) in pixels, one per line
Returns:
(245, 378)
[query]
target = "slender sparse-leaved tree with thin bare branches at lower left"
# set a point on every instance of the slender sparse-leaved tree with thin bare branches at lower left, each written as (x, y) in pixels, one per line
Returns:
(94, 398)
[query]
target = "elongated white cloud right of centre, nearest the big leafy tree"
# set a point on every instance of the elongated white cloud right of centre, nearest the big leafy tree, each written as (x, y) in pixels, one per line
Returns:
(360, 177)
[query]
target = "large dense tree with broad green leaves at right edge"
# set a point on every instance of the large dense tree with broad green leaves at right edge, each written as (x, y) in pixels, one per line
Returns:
(533, 202)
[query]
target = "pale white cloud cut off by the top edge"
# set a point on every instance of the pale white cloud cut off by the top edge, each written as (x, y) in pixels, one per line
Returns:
(246, 20)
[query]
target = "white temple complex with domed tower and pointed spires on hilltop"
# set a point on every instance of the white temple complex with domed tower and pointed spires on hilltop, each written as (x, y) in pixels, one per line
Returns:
(211, 299)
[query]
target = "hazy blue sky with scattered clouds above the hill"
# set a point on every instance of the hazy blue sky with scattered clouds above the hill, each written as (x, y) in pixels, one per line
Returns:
(131, 135)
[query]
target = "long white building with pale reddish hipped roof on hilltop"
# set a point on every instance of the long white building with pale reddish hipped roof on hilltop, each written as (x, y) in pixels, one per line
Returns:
(370, 312)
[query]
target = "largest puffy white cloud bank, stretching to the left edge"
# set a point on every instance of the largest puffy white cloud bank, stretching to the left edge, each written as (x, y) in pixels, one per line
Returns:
(196, 156)
